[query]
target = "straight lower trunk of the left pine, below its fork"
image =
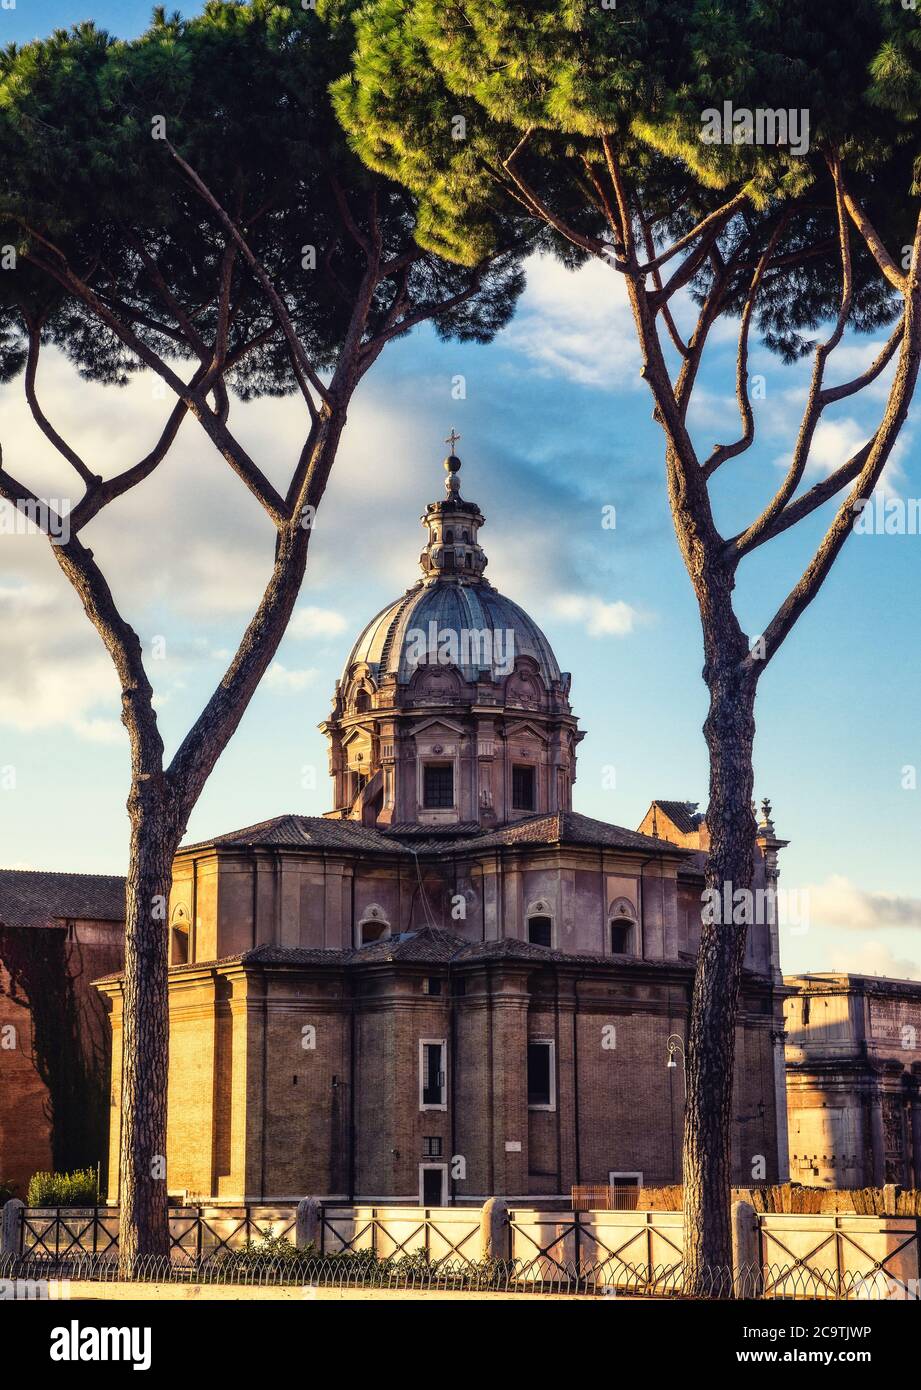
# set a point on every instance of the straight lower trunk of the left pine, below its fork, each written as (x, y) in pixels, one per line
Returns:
(142, 1185)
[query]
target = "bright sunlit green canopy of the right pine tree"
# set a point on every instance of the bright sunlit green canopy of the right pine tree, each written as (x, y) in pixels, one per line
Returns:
(444, 98)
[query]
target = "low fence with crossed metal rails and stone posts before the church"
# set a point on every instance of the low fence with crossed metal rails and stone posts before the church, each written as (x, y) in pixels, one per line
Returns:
(512, 1250)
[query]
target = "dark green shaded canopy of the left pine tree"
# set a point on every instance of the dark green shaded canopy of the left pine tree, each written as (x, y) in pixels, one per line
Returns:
(242, 95)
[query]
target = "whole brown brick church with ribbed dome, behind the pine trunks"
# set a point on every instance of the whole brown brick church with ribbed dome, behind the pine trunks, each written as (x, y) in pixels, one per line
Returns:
(454, 985)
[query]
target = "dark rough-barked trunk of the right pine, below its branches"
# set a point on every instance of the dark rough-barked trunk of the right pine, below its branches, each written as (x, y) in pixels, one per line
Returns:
(711, 1045)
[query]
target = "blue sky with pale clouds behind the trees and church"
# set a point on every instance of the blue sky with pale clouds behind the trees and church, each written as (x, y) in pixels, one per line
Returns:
(555, 427)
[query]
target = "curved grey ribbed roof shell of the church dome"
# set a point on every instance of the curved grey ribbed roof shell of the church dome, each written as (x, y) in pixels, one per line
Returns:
(458, 608)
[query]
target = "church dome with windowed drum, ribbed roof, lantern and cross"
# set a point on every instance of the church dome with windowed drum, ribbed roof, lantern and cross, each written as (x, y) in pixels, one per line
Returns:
(452, 710)
